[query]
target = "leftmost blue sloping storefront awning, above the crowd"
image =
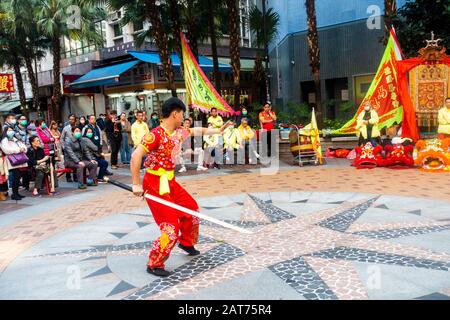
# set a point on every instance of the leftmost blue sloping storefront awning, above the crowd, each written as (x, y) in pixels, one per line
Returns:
(103, 75)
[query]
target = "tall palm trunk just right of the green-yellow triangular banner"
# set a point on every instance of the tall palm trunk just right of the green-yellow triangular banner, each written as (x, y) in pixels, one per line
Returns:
(235, 53)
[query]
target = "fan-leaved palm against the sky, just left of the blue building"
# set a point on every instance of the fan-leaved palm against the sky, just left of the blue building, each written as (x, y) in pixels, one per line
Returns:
(265, 27)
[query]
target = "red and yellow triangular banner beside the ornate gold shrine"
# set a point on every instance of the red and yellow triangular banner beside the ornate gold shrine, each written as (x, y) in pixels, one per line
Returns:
(383, 92)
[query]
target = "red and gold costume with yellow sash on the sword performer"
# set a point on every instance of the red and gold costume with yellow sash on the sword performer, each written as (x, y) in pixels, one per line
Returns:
(162, 150)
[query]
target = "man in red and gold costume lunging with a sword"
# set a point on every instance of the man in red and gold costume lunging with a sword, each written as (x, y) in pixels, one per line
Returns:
(161, 147)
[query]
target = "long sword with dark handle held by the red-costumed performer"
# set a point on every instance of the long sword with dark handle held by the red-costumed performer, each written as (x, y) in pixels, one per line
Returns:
(180, 208)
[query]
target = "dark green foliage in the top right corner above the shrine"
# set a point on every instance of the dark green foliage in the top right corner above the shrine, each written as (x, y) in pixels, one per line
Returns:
(415, 21)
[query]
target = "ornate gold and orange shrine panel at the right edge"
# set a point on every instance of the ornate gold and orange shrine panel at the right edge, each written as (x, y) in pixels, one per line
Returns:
(429, 85)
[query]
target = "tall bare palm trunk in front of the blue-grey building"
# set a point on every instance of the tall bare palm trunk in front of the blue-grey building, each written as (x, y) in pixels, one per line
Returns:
(314, 55)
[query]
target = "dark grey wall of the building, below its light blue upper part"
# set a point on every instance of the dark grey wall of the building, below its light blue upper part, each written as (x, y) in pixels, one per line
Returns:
(347, 50)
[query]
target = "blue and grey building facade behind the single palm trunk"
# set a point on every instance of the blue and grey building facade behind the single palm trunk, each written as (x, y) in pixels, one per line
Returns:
(350, 52)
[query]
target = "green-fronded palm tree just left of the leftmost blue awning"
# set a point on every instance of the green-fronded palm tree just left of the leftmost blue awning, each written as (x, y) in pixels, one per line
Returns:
(53, 16)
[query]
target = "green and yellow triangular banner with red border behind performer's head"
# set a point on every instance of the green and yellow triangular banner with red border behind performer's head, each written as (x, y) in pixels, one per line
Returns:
(201, 93)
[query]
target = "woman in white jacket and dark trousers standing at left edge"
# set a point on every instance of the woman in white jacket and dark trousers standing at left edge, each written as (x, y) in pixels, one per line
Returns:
(11, 145)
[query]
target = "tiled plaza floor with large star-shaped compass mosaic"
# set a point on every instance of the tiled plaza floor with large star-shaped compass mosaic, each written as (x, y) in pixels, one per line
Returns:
(330, 232)
